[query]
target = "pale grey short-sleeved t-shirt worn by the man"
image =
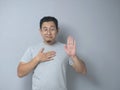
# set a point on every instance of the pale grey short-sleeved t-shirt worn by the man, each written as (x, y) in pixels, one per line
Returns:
(49, 75)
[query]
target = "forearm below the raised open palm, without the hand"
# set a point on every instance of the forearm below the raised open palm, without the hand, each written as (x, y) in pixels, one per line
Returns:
(79, 65)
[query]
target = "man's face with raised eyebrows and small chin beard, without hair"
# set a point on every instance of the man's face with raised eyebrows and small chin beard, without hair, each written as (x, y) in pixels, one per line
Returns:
(49, 32)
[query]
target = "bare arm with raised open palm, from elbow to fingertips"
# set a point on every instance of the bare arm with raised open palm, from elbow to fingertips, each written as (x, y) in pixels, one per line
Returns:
(70, 49)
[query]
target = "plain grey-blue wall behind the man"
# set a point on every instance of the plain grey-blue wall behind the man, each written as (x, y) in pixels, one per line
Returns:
(95, 24)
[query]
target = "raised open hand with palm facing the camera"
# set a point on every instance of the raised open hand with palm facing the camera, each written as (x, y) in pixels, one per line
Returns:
(70, 47)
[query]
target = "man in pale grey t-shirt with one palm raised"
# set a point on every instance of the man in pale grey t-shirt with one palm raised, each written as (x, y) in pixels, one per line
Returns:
(50, 58)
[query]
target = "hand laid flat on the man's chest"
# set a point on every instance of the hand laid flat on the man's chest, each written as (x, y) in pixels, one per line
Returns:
(42, 57)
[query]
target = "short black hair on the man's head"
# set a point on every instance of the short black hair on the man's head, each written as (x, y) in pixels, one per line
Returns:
(47, 19)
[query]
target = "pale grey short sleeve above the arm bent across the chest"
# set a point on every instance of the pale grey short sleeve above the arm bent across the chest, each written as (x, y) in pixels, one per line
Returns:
(27, 55)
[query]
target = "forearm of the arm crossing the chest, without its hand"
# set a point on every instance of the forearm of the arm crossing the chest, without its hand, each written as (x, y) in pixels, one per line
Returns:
(26, 68)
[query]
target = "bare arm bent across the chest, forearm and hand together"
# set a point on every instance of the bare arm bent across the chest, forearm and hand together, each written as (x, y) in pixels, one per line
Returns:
(25, 68)
